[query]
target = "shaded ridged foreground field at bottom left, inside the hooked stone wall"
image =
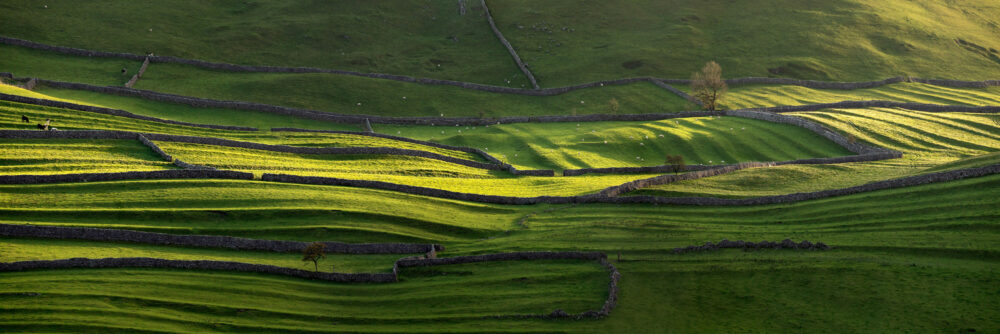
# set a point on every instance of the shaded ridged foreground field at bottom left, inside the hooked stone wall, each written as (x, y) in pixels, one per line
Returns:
(449, 298)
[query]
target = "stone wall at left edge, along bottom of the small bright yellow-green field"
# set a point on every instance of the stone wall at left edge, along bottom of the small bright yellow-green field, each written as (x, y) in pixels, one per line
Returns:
(100, 177)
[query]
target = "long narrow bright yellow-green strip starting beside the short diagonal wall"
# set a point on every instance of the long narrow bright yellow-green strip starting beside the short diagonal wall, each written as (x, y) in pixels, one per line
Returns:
(412, 171)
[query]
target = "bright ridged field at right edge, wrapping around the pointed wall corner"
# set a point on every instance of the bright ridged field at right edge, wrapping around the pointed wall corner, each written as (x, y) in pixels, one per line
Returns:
(930, 142)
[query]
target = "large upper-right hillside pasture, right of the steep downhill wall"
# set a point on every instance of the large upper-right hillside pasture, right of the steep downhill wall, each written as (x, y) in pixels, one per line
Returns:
(845, 40)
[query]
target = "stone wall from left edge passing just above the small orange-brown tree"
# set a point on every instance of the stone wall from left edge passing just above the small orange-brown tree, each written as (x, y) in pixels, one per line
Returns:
(209, 241)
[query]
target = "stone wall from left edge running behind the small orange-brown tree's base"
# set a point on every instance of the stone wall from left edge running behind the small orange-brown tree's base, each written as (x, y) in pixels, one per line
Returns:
(145, 262)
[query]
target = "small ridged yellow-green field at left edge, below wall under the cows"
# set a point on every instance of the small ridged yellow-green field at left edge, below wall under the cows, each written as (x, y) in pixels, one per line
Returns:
(65, 156)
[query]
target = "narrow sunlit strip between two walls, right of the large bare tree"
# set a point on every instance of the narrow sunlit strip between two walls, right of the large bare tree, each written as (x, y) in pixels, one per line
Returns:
(753, 96)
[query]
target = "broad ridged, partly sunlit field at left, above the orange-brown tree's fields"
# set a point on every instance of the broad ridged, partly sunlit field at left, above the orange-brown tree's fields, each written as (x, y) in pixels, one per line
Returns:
(255, 209)
